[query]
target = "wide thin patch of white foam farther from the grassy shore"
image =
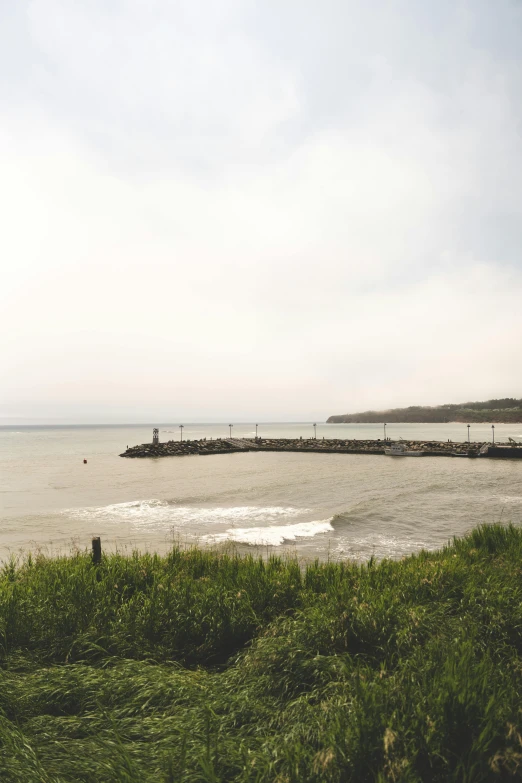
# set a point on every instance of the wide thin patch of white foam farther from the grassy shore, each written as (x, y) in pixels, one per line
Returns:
(165, 514)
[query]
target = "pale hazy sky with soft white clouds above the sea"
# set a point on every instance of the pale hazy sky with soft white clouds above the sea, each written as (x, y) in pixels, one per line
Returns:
(258, 210)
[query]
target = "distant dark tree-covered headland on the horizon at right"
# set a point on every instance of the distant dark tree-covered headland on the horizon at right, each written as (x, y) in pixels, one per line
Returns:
(504, 411)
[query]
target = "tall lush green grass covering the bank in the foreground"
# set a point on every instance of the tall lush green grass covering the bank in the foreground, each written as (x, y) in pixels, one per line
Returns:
(201, 666)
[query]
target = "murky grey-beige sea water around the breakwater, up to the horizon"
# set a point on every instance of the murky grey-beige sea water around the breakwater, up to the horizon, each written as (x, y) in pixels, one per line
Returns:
(314, 505)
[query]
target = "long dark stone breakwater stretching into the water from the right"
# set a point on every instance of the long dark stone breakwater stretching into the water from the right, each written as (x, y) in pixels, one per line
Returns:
(327, 446)
